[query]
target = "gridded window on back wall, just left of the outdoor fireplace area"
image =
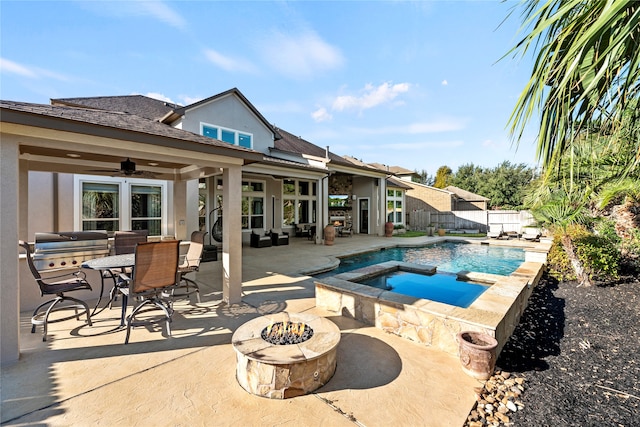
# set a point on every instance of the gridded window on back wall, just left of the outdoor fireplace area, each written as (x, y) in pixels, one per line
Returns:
(298, 201)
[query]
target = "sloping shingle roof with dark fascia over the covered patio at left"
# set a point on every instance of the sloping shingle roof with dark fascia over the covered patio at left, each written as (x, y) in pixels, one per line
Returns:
(112, 124)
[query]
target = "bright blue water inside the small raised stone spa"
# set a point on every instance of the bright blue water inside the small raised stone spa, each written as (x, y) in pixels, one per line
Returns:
(440, 287)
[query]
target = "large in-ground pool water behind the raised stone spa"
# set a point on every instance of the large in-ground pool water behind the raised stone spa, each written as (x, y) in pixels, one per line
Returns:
(447, 256)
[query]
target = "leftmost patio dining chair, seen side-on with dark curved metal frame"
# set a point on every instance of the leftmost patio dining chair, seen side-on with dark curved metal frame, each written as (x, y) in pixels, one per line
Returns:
(67, 282)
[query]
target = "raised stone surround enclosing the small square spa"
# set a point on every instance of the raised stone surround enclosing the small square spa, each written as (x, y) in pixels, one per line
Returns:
(496, 312)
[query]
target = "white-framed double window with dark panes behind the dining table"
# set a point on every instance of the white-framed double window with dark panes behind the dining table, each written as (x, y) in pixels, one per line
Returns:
(114, 204)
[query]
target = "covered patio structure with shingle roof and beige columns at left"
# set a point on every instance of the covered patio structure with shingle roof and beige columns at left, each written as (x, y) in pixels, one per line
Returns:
(73, 141)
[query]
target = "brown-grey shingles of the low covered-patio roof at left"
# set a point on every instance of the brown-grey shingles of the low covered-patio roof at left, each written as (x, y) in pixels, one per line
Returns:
(118, 121)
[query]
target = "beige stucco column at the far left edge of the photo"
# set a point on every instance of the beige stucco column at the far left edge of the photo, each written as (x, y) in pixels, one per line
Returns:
(9, 278)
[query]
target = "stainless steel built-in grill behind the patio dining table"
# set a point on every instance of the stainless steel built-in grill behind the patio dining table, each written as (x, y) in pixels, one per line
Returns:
(55, 251)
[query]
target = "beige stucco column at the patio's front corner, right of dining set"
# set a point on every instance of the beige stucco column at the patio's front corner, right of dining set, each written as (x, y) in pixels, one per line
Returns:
(232, 235)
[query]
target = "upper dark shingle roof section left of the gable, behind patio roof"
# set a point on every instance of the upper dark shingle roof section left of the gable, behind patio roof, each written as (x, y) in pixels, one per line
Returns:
(143, 106)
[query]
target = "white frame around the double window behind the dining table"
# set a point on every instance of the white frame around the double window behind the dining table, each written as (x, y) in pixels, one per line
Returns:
(124, 192)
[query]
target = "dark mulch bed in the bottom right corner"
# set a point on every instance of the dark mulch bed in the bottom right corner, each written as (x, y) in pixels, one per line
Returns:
(579, 351)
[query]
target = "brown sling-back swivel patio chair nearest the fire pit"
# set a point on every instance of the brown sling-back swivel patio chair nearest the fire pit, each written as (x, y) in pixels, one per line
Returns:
(154, 275)
